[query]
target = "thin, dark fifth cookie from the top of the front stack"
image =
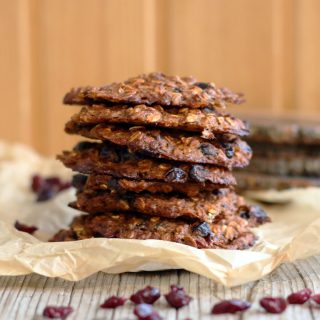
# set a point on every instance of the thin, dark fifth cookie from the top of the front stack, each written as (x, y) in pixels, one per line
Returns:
(107, 182)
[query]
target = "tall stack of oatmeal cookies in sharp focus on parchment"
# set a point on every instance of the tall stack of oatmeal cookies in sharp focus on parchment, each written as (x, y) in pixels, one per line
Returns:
(161, 164)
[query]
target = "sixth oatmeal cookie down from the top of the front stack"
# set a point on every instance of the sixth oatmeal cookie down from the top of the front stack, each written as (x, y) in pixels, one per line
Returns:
(203, 207)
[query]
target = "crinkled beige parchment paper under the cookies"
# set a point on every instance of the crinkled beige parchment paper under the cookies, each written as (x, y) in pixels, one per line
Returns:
(294, 233)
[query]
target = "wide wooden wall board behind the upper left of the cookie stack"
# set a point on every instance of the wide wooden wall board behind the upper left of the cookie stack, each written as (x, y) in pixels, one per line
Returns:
(81, 42)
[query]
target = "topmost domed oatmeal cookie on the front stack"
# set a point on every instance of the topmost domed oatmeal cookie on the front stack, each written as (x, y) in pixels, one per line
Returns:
(156, 88)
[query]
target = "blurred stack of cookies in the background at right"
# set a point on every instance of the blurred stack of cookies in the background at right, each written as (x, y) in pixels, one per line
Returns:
(286, 155)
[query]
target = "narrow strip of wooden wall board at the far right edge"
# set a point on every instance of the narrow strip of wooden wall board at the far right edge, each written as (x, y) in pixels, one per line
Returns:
(307, 76)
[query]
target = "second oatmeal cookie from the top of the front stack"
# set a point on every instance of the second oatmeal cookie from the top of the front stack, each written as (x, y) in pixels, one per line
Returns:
(206, 121)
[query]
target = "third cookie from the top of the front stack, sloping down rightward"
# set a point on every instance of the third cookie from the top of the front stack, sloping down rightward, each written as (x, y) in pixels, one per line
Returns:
(170, 145)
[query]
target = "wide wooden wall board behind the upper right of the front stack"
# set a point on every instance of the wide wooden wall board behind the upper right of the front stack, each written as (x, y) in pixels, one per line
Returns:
(229, 42)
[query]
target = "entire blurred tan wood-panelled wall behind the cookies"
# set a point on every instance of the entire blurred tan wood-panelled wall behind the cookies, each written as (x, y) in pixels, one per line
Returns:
(269, 50)
